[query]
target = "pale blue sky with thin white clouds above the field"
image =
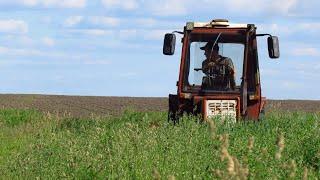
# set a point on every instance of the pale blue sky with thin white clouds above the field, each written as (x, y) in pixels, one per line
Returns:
(114, 48)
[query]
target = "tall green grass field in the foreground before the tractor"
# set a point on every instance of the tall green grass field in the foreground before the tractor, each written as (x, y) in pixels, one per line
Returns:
(144, 145)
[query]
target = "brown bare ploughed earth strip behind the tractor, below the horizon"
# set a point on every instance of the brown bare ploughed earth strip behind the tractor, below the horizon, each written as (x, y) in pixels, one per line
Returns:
(86, 106)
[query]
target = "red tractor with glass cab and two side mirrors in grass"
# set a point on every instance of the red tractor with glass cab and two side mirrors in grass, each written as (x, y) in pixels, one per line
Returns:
(219, 70)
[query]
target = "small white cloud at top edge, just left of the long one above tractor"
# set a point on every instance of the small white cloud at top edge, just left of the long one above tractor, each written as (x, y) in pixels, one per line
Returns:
(124, 4)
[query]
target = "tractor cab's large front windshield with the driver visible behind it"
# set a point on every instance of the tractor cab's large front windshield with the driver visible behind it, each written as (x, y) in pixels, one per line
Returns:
(214, 62)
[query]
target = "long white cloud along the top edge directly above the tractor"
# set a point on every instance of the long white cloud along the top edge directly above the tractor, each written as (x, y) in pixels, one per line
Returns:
(232, 7)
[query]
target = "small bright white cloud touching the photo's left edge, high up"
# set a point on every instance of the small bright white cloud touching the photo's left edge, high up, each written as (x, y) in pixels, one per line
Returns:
(13, 26)
